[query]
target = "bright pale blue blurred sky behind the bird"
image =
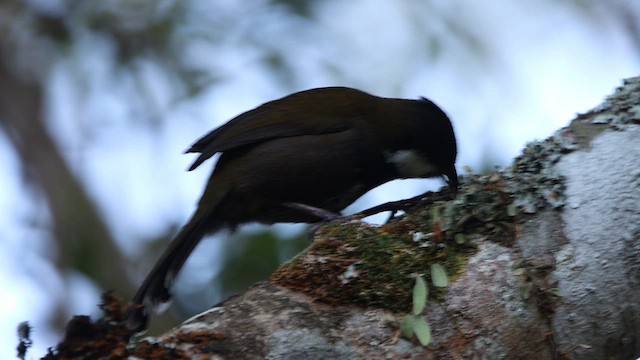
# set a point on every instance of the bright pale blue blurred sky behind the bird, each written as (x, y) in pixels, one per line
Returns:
(545, 63)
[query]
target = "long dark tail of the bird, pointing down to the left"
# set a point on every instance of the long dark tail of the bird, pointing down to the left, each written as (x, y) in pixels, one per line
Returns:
(154, 293)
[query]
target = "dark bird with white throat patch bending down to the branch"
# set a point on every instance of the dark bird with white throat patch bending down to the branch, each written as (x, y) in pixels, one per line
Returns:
(321, 149)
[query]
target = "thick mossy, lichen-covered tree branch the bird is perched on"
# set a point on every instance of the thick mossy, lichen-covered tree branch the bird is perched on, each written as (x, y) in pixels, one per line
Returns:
(557, 279)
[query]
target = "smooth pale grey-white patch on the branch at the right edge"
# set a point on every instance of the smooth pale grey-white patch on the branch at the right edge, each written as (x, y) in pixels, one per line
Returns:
(599, 269)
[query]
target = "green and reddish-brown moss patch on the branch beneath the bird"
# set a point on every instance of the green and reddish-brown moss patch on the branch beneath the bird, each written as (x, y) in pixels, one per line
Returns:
(359, 264)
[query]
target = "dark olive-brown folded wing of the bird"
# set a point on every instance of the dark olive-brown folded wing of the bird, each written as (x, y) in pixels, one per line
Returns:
(294, 115)
